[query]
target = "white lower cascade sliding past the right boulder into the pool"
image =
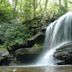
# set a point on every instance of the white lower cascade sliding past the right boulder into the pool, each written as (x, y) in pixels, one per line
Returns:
(47, 57)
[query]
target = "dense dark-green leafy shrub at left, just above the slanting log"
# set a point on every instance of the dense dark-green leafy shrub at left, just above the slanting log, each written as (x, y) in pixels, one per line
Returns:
(14, 33)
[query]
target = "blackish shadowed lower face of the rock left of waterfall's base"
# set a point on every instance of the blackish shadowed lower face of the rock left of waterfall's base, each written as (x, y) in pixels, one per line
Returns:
(26, 58)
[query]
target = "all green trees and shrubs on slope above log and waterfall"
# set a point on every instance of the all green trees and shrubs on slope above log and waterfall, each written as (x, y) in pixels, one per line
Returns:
(34, 14)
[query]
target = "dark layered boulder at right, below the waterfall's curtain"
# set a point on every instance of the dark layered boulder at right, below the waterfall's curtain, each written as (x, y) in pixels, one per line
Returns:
(64, 54)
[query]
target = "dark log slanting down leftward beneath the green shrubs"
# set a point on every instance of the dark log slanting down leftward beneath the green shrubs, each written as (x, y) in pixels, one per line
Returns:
(28, 44)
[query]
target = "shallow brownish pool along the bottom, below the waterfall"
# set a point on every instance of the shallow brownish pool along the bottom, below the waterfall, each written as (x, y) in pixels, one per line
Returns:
(32, 68)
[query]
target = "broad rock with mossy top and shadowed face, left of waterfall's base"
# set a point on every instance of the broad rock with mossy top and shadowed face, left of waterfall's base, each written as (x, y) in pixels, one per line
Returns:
(26, 56)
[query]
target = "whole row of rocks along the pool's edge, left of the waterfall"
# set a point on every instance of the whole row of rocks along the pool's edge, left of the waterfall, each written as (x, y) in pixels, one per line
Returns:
(20, 57)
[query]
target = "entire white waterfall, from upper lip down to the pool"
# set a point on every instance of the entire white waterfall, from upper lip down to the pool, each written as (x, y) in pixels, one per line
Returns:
(58, 33)
